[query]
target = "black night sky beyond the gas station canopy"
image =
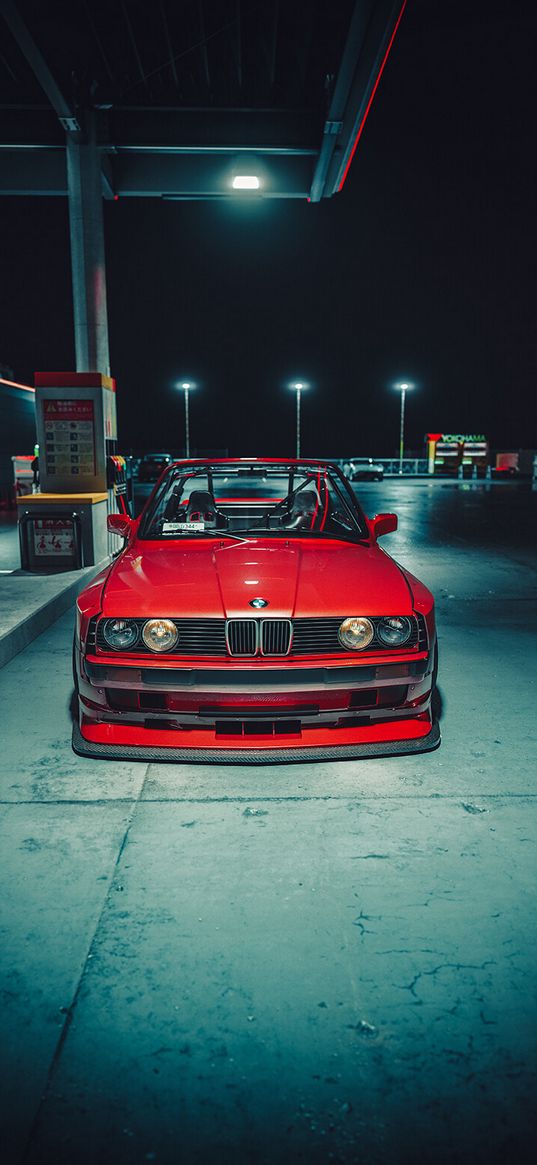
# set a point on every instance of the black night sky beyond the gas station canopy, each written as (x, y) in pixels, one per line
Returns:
(425, 269)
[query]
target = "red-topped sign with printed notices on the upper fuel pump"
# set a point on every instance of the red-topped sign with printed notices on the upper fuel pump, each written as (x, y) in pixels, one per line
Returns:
(69, 433)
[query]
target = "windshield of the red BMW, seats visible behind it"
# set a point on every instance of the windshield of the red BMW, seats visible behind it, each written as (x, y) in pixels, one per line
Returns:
(251, 500)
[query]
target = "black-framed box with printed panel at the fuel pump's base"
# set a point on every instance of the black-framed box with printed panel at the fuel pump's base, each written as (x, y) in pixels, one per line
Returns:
(51, 542)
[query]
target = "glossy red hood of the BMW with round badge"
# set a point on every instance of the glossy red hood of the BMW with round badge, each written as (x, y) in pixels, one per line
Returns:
(208, 580)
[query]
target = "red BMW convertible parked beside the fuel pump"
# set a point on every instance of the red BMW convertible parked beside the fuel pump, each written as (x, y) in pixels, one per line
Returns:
(252, 617)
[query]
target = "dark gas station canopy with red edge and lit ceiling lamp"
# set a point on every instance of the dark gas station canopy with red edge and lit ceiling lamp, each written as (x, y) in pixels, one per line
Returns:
(186, 101)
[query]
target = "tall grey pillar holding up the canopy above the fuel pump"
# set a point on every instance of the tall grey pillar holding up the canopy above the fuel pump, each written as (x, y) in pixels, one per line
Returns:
(88, 253)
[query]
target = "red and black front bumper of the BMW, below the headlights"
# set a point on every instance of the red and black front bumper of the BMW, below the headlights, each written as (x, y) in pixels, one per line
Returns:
(256, 715)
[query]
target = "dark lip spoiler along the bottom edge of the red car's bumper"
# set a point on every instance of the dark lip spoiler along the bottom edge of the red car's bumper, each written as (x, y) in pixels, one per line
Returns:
(255, 757)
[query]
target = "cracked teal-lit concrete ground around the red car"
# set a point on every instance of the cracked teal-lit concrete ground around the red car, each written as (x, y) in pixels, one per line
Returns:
(329, 963)
